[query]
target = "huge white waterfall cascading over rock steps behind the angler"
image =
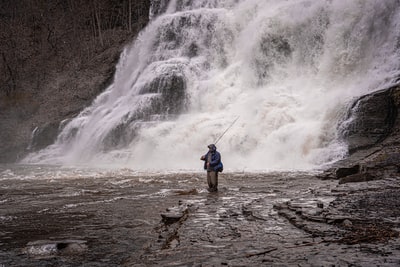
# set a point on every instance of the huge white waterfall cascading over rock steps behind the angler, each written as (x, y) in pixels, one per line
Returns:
(287, 69)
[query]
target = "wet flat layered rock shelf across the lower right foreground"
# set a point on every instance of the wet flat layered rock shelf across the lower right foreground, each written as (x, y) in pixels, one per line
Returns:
(362, 219)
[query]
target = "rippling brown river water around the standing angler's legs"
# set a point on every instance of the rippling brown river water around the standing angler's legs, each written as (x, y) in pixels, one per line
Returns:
(75, 216)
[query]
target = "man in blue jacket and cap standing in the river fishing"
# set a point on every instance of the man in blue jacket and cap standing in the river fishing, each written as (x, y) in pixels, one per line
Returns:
(213, 165)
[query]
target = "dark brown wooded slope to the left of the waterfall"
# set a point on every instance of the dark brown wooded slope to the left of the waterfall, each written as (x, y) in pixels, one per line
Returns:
(55, 58)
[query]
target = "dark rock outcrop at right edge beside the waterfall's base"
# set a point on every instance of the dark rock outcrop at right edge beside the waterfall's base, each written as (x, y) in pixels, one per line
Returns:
(373, 134)
